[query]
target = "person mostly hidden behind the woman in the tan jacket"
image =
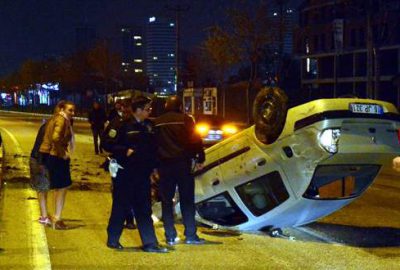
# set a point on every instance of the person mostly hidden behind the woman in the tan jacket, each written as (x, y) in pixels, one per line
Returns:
(39, 172)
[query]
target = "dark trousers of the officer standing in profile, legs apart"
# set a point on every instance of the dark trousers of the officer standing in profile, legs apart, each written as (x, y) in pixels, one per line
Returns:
(132, 189)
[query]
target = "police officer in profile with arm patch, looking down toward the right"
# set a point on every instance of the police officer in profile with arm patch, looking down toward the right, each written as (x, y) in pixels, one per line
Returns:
(133, 145)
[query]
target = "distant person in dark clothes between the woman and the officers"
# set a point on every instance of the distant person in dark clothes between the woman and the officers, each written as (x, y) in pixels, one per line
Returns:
(97, 119)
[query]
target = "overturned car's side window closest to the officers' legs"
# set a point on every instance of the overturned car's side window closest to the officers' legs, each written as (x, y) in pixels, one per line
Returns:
(222, 210)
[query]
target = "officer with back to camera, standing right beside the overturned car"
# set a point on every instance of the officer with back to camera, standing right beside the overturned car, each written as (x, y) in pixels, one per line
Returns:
(178, 145)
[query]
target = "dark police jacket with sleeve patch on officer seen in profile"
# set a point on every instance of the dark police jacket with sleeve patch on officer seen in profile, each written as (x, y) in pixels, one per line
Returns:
(123, 134)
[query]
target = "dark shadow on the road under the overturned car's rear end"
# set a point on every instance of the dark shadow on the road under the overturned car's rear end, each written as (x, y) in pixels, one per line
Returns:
(366, 237)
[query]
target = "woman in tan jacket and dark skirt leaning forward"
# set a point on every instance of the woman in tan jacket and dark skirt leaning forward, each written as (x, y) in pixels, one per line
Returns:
(59, 137)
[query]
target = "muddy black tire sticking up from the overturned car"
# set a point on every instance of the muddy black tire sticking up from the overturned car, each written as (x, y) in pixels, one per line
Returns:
(269, 114)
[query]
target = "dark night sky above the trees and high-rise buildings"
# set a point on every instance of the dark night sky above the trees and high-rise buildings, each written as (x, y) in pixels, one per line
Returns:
(36, 28)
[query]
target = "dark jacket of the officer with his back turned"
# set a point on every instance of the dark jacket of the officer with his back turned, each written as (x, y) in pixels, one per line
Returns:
(177, 138)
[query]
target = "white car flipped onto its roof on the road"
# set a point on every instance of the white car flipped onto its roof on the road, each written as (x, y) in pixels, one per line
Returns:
(298, 165)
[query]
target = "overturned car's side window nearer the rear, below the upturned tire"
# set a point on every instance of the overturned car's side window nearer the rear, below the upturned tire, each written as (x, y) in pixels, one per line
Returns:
(263, 194)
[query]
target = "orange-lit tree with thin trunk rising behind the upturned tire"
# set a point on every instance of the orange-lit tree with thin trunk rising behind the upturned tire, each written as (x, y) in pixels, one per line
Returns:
(245, 35)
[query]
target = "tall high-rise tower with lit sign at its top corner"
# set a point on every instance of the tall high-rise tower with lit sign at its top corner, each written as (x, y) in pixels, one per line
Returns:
(161, 54)
